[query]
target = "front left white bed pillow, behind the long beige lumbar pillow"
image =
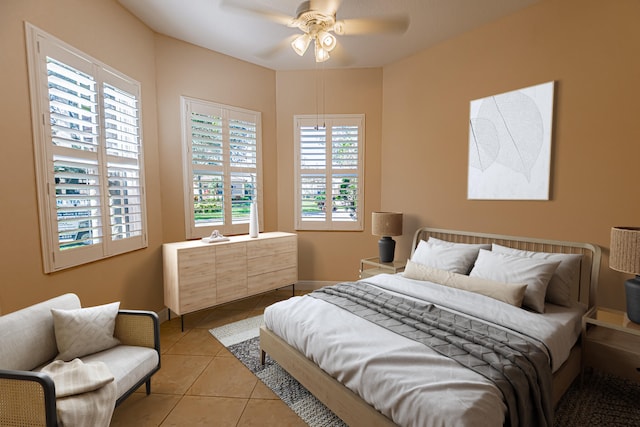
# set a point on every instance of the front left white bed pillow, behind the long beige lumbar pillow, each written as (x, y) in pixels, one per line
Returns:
(457, 258)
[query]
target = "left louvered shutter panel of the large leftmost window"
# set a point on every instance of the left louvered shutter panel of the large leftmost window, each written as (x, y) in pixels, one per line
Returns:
(74, 139)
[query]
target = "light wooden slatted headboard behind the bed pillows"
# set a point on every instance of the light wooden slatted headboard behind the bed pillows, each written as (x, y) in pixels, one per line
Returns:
(587, 287)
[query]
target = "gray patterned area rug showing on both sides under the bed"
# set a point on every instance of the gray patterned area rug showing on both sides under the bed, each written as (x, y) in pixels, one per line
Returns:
(601, 400)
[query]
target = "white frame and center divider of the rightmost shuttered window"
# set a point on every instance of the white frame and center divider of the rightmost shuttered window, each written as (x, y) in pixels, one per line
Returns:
(328, 122)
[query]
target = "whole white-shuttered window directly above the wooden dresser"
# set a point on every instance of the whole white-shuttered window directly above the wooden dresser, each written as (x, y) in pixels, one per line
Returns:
(222, 163)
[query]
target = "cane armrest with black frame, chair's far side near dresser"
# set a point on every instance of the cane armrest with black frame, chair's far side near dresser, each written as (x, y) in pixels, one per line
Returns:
(137, 327)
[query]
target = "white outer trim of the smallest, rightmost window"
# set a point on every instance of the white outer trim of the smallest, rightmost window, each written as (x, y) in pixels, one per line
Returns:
(327, 121)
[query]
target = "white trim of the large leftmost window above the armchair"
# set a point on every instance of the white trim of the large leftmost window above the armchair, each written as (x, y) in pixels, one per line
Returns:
(55, 259)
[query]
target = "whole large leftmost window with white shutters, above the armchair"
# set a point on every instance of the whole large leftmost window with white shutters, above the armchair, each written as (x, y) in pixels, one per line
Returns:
(88, 154)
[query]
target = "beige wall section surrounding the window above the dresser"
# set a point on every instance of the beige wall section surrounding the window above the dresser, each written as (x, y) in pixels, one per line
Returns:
(187, 70)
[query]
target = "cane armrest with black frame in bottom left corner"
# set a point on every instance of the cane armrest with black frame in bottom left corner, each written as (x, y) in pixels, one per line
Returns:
(27, 398)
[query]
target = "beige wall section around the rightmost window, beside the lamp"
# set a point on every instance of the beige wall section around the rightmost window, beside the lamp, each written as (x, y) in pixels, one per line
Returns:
(329, 256)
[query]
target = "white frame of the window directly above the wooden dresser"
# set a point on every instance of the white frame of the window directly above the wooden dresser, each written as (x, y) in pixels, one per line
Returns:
(231, 225)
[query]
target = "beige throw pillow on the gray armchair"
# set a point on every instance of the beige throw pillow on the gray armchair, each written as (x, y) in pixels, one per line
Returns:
(85, 331)
